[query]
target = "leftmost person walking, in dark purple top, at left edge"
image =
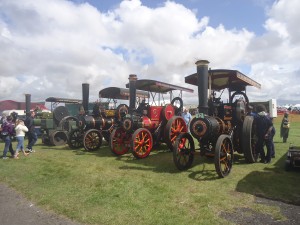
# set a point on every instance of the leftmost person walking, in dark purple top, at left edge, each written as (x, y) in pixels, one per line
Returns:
(7, 132)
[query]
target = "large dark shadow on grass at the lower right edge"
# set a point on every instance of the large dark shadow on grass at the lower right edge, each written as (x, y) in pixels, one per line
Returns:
(273, 183)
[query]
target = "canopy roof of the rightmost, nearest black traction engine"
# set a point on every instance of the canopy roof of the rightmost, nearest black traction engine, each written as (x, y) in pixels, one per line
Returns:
(221, 79)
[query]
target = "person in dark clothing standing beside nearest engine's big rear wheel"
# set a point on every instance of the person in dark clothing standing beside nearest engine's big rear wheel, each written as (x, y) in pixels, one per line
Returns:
(264, 127)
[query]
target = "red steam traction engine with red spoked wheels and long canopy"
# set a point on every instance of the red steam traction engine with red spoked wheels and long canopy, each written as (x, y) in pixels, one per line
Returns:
(148, 125)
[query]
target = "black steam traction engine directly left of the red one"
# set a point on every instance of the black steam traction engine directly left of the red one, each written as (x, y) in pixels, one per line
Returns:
(87, 129)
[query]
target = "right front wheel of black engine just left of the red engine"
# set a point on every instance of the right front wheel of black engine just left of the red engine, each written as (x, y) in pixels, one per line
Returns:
(92, 140)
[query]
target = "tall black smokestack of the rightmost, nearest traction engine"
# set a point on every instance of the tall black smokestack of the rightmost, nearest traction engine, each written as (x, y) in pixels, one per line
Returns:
(202, 78)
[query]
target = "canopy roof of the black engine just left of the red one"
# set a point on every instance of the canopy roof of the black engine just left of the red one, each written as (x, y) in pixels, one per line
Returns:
(120, 93)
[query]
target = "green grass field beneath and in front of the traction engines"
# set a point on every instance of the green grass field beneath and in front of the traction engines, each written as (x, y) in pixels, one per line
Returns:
(99, 188)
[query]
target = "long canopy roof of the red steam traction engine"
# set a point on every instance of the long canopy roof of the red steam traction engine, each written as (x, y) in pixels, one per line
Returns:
(157, 86)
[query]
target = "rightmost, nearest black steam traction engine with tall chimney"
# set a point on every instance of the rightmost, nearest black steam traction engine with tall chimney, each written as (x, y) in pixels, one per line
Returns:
(220, 128)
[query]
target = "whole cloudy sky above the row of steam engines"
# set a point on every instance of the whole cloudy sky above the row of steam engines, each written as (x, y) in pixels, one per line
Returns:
(49, 48)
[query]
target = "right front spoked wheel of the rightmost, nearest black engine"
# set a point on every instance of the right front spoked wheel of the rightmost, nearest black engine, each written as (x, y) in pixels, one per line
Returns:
(223, 155)
